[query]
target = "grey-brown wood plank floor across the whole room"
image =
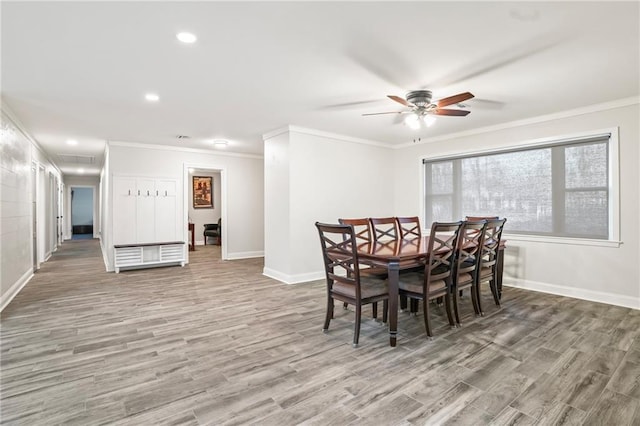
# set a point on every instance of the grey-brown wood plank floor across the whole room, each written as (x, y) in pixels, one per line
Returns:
(217, 343)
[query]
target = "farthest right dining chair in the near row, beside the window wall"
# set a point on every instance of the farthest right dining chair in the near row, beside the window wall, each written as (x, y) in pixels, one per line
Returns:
(488, 268)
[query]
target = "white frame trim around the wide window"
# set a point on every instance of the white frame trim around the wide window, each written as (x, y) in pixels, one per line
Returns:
(613, 239)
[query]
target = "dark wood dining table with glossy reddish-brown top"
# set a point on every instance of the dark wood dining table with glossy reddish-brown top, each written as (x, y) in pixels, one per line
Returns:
(400, 254)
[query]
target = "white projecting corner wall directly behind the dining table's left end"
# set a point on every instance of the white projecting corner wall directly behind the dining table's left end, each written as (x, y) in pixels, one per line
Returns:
(315, 176)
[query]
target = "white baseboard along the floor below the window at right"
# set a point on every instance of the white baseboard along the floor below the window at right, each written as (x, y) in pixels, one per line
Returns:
(576, 293)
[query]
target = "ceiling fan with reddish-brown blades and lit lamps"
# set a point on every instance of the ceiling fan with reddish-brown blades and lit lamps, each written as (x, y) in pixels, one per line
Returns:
(421, 107)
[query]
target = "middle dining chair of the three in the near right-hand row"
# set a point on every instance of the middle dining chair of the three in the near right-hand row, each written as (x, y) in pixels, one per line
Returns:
(467, 262)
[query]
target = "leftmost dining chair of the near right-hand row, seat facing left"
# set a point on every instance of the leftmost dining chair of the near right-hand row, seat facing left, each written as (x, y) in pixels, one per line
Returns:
(436, 279)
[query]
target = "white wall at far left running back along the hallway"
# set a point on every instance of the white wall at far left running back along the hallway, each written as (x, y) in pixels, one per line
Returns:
(17, 154)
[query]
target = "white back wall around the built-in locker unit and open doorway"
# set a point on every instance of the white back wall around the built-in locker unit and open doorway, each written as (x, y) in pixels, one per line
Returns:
(245, 198)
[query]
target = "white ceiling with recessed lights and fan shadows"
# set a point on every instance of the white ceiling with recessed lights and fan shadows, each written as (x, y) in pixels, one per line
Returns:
(81, 69)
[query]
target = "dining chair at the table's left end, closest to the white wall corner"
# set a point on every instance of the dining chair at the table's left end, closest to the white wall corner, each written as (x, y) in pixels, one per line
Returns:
(342, 269)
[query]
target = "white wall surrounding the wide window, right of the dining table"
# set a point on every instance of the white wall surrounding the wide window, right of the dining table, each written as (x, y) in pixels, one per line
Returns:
(606, 274)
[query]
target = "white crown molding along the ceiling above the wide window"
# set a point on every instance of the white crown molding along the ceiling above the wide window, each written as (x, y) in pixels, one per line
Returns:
(634, 100)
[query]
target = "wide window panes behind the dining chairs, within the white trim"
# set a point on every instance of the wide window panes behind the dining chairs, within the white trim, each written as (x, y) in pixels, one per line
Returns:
(557, 189)
